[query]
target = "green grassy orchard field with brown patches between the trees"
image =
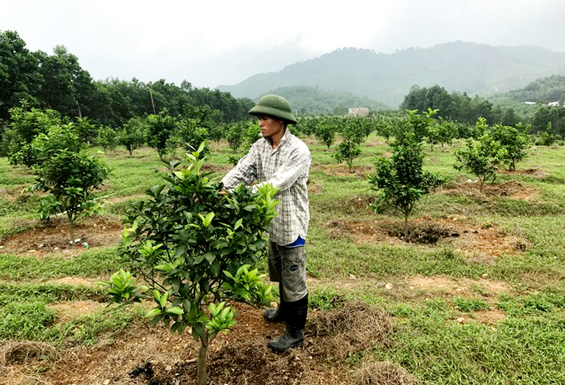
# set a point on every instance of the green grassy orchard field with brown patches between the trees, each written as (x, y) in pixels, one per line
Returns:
(477, 298)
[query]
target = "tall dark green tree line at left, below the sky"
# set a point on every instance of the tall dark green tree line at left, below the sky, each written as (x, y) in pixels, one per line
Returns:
(58, 82)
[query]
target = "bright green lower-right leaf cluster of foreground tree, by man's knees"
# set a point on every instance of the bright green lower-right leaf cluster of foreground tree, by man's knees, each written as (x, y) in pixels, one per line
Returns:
(247, 286)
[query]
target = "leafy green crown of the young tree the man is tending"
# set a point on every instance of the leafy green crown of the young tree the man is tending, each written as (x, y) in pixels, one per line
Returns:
(187, 234)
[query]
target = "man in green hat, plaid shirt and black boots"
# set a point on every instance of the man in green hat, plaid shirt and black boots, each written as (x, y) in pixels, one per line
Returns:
(283, 160)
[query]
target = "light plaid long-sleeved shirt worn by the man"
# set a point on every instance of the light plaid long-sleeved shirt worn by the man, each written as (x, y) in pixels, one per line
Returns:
(286, 168)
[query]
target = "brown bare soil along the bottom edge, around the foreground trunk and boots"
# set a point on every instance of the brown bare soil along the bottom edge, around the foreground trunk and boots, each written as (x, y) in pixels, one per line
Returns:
(146, 355)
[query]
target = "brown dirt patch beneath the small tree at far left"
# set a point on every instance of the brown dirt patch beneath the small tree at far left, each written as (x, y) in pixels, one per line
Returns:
(53, 236)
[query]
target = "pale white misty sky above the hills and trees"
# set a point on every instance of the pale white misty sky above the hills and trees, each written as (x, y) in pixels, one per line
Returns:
(221, 42)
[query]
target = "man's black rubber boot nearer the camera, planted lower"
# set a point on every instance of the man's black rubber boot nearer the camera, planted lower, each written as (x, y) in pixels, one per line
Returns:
(296, 320)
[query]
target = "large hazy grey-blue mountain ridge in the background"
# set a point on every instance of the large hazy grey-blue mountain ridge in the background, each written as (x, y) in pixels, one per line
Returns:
(458, 66)
